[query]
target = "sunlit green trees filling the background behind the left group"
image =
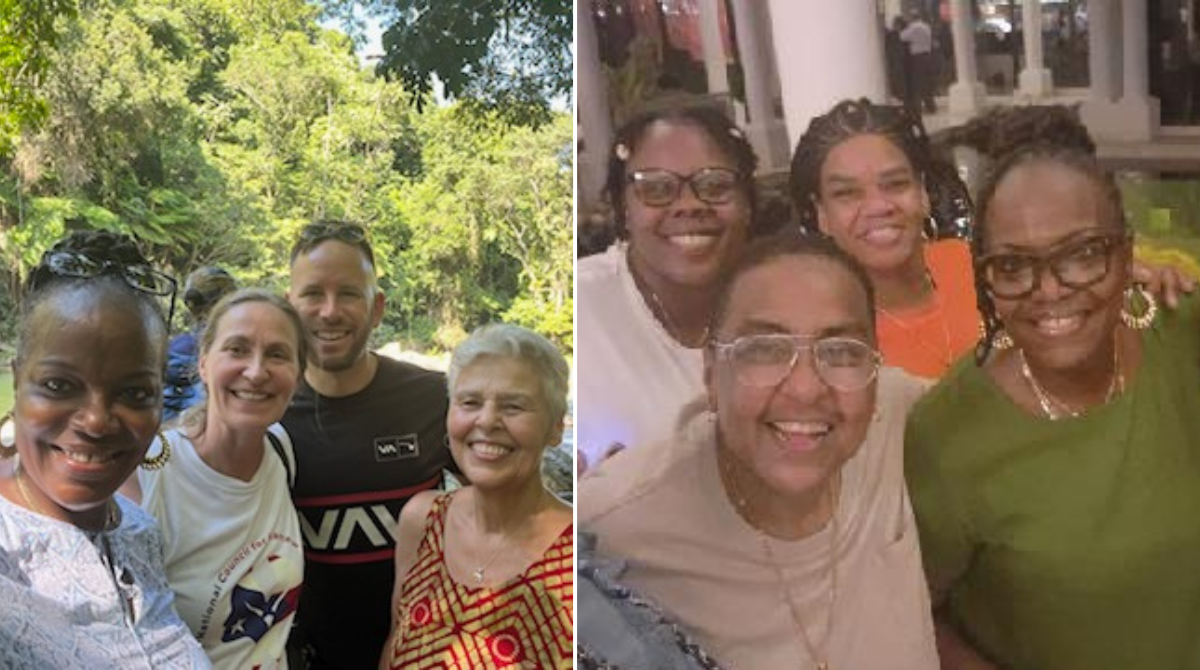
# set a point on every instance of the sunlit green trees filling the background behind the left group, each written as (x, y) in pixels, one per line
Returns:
(213, 130)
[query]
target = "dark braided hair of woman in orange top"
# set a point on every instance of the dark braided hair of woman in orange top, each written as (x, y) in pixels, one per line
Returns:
(851, 118)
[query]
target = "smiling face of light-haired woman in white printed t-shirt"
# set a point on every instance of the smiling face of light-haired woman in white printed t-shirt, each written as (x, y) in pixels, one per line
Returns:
(250, 367)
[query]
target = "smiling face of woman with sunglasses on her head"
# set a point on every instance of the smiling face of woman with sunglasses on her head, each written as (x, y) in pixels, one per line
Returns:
(88, 397)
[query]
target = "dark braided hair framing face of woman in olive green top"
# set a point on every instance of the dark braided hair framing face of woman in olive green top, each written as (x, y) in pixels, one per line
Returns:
(1072, 157)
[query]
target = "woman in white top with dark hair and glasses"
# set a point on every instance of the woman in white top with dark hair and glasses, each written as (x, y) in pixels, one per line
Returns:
(681, 184)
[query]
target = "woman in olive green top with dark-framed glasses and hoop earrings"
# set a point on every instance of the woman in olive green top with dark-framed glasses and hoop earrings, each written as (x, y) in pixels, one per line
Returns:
(1058, 482)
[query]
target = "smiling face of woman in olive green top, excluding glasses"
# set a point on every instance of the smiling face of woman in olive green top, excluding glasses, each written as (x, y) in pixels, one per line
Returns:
(1036, 210)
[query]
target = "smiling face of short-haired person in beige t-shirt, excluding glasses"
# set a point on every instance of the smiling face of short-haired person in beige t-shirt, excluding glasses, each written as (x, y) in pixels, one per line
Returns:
(791, 439)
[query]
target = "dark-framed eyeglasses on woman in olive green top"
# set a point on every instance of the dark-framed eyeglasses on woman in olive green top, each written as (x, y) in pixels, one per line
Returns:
(1077, 266)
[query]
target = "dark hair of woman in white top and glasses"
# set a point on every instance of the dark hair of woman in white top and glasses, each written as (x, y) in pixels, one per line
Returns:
(712, 122)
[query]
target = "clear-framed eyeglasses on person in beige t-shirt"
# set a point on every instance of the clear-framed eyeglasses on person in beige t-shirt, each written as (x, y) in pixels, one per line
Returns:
(765, 361)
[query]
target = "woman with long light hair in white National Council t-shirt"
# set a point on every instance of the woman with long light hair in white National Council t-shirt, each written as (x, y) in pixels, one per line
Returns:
(232, 540)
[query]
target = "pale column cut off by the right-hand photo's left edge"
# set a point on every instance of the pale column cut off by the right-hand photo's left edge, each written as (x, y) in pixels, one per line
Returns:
(591, 107)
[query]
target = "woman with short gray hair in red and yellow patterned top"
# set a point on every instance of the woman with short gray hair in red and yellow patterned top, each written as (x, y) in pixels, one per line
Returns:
(502, 547)
